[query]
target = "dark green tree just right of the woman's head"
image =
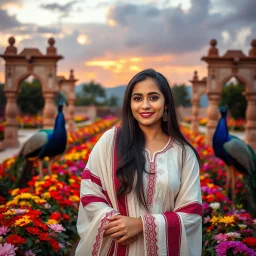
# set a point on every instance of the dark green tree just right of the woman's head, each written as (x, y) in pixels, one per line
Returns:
(180, 95)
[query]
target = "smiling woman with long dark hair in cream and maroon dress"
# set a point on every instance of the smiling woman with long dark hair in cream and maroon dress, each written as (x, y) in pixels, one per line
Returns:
(140, 191)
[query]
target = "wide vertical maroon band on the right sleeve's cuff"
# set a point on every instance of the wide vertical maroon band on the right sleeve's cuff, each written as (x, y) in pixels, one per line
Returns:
(173, 233)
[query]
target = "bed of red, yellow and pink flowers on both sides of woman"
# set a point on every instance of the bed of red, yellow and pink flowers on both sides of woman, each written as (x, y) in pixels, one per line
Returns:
(44, 214)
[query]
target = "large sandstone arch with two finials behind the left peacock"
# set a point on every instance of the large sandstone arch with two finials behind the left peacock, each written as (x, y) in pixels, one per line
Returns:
(17, 67)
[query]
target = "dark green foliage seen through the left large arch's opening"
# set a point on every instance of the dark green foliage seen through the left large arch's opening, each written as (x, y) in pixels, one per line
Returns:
(30, 100)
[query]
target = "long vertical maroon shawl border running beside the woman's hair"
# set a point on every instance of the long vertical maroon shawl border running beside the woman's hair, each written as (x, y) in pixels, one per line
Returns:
(121, 250)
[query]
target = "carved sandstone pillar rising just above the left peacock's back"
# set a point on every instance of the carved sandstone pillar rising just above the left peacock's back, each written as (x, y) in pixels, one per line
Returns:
(49, 112)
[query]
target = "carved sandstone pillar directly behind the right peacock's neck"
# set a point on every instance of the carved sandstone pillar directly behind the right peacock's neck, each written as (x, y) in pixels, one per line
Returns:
(212, 115)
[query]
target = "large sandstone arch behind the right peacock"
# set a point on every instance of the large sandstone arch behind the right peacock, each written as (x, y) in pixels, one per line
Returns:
(234, 63)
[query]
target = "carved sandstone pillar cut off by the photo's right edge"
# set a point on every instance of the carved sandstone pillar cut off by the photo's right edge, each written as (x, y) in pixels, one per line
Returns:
(250, 127)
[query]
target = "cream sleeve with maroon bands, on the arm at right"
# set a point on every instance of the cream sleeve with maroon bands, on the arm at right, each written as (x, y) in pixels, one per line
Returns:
(178, 232)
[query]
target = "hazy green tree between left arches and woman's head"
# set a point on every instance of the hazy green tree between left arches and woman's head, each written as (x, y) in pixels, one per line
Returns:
(92, 93)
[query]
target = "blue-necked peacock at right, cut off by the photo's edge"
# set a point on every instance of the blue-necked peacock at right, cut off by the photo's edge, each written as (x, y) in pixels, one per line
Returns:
(237, 155)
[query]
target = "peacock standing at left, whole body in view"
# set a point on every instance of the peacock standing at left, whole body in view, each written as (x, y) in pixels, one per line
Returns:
(44, 143)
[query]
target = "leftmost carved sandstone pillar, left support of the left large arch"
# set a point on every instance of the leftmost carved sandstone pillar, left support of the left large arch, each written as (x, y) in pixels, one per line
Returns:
(11, 126)
